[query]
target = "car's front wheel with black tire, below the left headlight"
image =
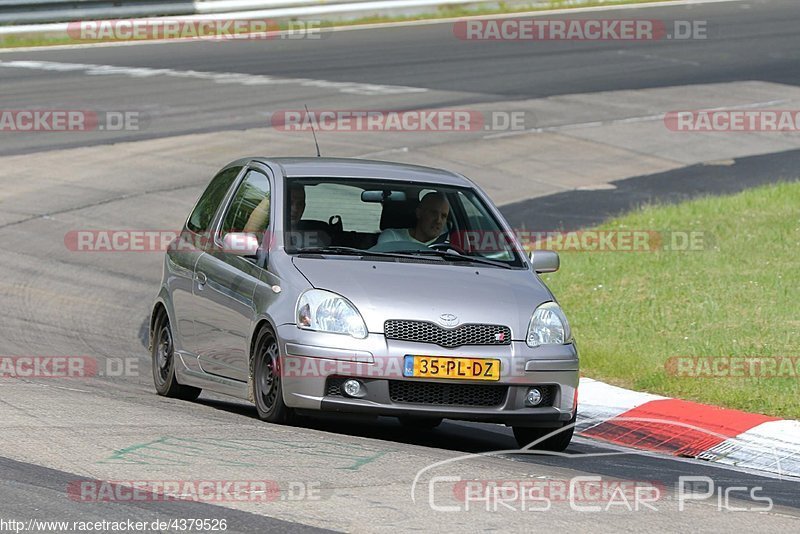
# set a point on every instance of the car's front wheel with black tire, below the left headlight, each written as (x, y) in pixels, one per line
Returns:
(267, 381)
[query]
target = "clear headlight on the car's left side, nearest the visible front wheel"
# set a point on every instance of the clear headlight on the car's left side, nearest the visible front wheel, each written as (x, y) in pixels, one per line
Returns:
(328, 312)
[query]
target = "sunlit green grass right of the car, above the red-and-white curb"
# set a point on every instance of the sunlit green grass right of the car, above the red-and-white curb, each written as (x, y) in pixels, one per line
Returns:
(631, 311)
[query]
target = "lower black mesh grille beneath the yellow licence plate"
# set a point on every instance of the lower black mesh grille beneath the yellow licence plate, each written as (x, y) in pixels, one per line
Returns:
(446, 394)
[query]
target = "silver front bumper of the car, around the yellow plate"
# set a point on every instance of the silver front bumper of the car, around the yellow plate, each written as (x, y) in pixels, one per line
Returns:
(311, 360)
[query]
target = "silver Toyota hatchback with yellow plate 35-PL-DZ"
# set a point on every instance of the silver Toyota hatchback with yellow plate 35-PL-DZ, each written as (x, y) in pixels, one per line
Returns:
(344, 285)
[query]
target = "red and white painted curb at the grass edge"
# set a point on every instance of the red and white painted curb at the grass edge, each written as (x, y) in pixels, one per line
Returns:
(688, 429)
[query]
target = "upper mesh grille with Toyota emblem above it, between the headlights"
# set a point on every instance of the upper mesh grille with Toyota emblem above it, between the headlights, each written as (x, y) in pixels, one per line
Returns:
(465, 334)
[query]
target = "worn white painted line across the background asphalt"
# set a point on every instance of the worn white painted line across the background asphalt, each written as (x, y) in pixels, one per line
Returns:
(355, 88)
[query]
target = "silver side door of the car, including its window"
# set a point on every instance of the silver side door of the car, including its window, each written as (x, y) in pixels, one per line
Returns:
(225, 283)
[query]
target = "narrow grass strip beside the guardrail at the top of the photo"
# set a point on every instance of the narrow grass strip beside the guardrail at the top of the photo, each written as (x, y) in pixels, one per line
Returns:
(52, 39)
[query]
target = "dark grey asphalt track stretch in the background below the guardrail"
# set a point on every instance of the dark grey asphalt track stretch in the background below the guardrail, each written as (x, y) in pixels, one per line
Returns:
(753, 40)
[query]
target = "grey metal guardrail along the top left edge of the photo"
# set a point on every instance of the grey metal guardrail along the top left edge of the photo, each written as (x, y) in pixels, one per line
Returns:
(40, 11)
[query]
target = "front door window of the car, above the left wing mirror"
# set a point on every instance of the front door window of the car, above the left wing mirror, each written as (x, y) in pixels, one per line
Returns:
(250, 207)
